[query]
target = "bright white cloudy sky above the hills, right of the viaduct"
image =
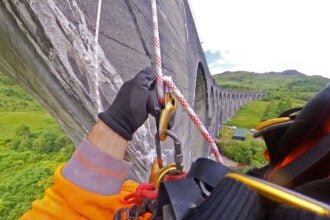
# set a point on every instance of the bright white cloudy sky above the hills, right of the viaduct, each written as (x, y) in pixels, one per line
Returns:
(264, 35)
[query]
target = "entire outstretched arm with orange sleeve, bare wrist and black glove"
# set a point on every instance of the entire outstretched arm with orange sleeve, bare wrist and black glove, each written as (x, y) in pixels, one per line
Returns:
(93, 182)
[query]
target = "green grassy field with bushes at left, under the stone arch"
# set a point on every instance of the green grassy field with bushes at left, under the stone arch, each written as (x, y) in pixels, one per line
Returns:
(31, 146)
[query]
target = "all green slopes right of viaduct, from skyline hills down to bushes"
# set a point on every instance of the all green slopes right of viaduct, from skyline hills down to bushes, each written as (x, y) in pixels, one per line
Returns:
(285, 90)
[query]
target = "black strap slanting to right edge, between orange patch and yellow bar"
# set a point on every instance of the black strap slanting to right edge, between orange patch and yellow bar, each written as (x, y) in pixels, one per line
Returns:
(288, 173)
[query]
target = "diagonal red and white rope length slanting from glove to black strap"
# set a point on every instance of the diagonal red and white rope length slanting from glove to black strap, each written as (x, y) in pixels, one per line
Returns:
(172, 87)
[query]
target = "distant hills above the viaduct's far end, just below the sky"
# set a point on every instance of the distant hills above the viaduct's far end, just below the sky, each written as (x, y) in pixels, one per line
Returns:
(291, 82)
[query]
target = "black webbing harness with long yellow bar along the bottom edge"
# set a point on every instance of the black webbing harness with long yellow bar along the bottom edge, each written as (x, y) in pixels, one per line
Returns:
(232, 196)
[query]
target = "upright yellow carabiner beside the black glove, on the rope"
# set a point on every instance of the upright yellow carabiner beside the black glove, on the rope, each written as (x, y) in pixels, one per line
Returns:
(166, 115)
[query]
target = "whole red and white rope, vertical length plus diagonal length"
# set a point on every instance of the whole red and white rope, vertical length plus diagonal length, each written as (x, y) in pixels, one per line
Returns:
(169, 83)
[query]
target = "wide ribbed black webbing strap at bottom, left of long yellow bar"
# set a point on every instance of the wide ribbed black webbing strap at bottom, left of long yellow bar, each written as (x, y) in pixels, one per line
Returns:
(230, 200)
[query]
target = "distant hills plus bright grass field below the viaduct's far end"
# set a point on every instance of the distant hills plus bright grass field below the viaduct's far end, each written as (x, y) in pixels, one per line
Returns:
(285, 90)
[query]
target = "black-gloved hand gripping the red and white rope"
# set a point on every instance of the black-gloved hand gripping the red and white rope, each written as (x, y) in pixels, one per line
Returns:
(135, 100)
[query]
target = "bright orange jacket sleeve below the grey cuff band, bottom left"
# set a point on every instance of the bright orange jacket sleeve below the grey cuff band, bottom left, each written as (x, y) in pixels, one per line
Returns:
(65, 200)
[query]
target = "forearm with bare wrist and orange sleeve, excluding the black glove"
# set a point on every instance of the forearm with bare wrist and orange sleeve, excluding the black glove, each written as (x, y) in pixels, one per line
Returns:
(91, 184)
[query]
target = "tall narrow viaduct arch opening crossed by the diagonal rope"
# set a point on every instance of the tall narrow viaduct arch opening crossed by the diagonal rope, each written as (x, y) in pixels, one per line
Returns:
(201, 107)
